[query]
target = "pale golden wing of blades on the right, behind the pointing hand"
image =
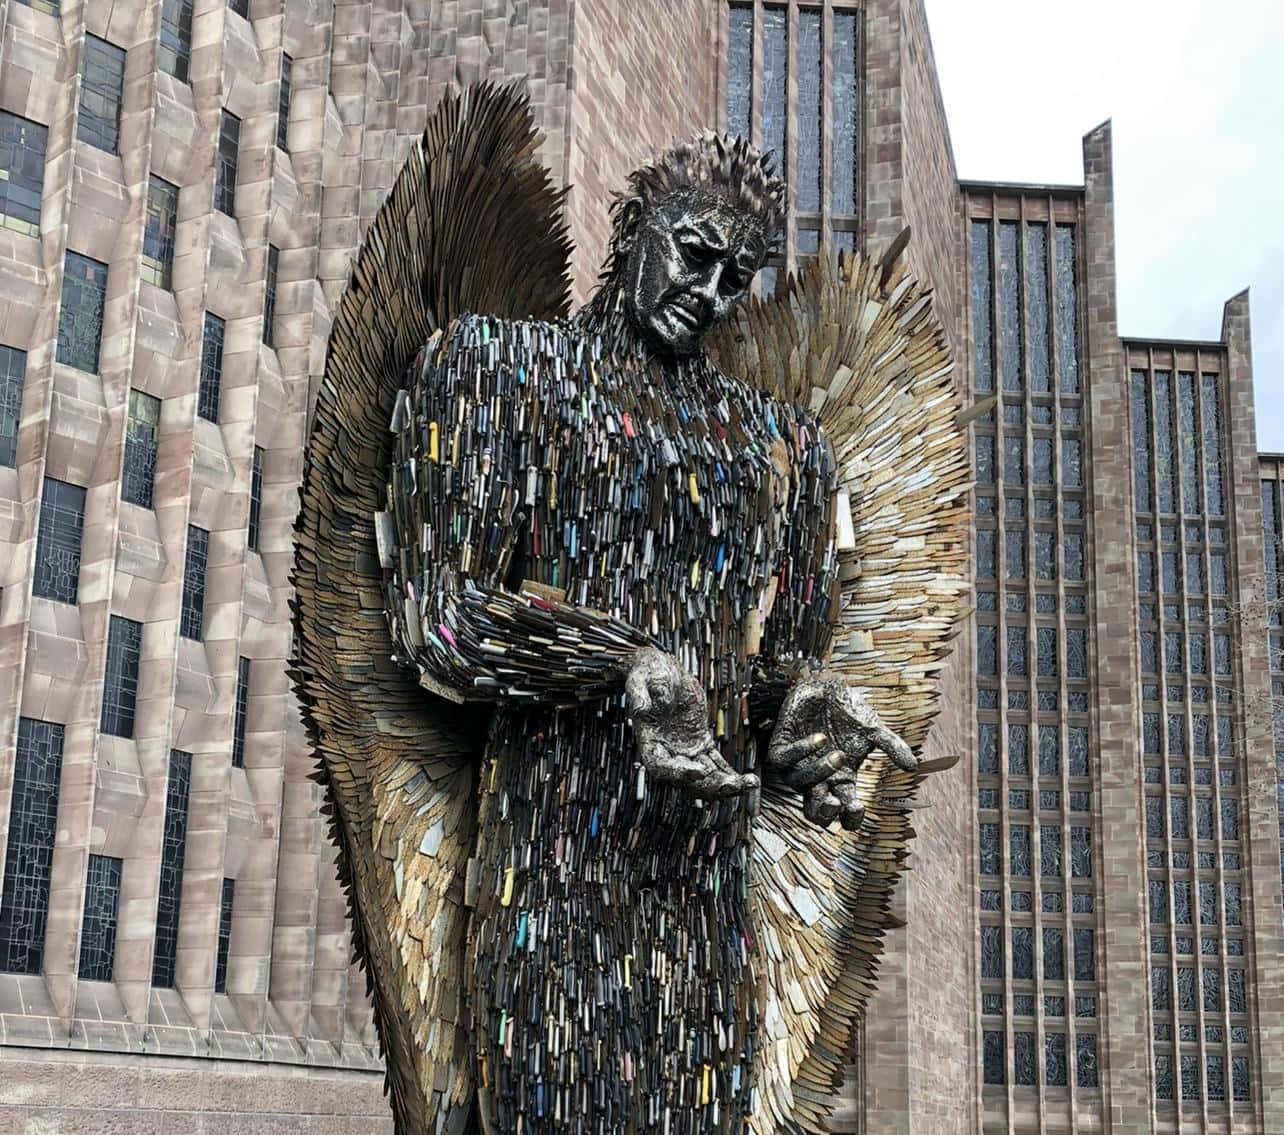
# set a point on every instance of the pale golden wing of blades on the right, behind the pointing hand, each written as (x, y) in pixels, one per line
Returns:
(858, 342)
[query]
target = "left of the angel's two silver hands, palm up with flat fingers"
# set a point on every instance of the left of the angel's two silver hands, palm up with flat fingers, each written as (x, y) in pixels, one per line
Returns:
(671, 722)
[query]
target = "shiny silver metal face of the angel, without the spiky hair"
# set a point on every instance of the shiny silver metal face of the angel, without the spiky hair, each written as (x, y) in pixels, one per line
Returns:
(688, 263)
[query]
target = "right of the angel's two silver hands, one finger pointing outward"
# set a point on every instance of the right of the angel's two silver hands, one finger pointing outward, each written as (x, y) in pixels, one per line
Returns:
(825, 731)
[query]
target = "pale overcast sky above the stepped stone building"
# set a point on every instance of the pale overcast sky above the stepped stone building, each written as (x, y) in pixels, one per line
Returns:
(1196, 91)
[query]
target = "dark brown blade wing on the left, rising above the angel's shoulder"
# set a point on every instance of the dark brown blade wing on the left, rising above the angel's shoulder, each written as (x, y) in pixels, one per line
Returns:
(472, 224)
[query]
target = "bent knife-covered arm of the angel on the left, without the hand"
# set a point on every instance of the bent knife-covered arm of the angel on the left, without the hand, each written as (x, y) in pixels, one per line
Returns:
(465, 483)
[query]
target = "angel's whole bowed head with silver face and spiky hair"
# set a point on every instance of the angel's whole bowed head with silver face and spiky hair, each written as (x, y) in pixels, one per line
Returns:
(689, 234)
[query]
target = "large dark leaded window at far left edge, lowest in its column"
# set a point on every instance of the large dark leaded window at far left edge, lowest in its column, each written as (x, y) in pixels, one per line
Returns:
(30, 851)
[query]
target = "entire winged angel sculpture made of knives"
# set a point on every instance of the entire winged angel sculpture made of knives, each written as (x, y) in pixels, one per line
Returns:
(618, 635)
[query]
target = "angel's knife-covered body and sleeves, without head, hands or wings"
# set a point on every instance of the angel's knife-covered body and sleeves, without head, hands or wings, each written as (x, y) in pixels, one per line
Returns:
(611, 975)
